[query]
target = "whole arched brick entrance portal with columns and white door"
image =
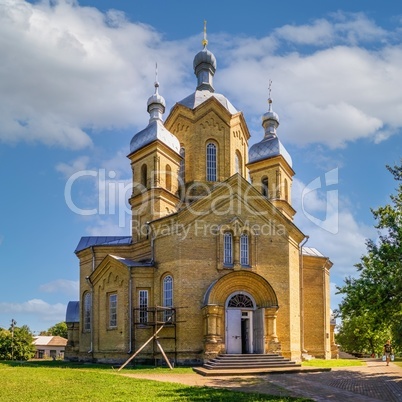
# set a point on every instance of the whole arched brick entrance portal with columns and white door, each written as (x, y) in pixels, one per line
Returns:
(240, 306)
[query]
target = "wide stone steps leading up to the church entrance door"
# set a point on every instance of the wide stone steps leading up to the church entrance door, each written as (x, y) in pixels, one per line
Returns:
(249, 364)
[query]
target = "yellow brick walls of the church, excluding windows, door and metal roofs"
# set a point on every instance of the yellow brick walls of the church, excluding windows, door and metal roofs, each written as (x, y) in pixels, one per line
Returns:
(187, 242)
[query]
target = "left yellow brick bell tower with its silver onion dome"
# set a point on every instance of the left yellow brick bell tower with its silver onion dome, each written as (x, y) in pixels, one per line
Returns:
(155, 162)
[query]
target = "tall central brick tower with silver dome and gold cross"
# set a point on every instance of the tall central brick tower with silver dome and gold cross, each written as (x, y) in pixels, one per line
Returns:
(213, 134)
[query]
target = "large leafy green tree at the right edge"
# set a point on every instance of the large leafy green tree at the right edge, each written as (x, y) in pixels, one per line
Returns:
(377, 292)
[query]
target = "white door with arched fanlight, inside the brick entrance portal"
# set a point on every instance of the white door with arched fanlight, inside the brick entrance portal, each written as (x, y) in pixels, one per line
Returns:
(240, 307)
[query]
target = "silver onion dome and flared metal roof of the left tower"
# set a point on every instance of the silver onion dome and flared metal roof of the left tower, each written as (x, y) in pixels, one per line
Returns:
(155, 129)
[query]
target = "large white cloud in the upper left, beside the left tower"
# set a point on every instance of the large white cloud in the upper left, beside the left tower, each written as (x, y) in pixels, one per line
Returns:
(67, 69)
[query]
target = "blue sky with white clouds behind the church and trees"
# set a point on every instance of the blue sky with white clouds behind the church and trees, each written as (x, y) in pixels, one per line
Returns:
(75, 77)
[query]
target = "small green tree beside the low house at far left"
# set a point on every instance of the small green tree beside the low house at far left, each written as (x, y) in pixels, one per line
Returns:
(16, 344)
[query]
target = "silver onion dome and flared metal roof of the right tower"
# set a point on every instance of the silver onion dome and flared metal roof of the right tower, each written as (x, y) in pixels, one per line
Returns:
(270, 146)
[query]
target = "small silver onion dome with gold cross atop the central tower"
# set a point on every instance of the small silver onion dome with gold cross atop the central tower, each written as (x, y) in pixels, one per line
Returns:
(204, 65)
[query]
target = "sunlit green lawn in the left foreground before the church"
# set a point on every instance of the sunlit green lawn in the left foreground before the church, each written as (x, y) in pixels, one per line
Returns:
(60, 381)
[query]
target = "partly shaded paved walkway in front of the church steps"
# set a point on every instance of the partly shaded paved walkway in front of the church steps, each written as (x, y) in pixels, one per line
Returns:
(370, 383)
